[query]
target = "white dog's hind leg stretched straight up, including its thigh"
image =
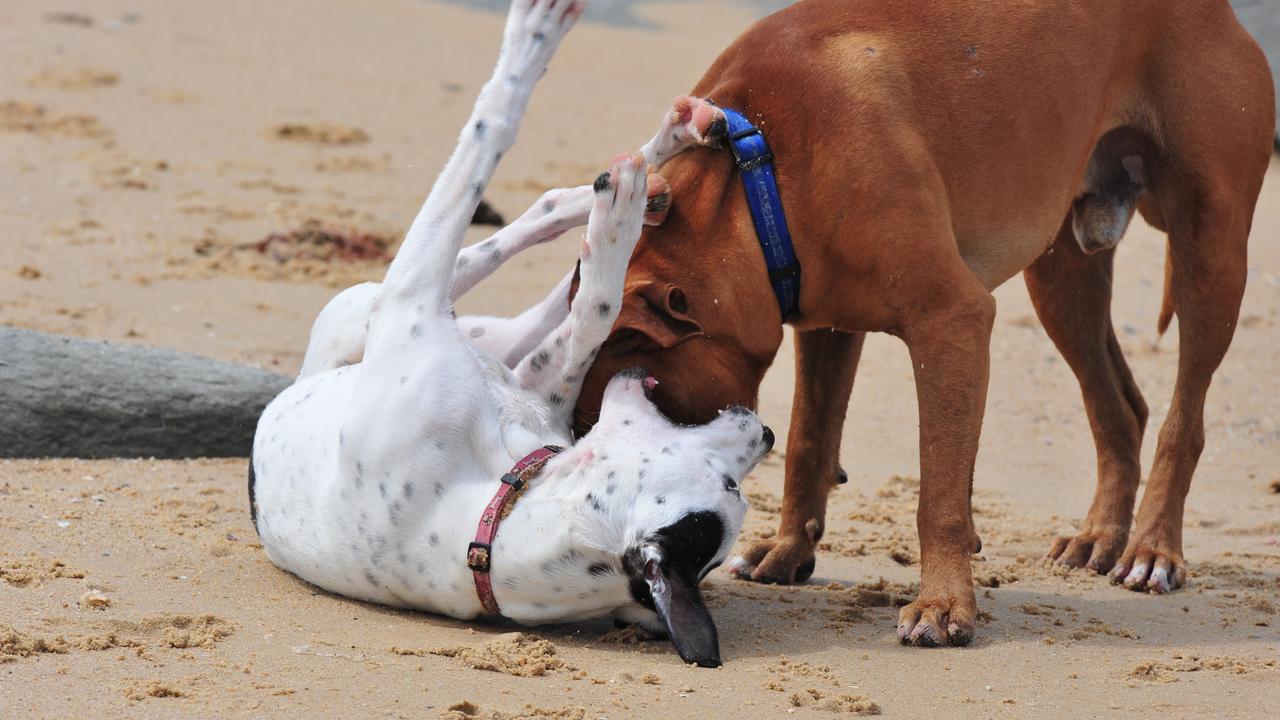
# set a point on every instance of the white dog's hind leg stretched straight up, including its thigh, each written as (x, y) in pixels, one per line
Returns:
(418, 376)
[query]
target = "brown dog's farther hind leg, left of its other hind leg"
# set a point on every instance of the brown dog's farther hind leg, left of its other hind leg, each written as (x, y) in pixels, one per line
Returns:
(1072, 293)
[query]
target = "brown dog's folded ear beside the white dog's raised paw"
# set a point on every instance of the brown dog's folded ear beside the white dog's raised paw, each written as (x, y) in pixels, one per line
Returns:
(655, 316)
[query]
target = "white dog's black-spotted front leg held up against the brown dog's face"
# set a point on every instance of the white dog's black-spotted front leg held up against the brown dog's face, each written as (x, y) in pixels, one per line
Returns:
(555, 370)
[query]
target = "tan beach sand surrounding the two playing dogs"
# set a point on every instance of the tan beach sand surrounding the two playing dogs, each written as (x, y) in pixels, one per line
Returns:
(144, 156)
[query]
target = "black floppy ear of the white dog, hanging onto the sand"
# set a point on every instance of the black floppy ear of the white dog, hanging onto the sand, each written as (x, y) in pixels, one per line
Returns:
(682, 608)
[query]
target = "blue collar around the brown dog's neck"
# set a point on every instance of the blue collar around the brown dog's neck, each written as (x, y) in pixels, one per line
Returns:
(756, 166)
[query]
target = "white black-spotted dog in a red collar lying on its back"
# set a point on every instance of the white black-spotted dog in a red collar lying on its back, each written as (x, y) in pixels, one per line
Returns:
(371, 480)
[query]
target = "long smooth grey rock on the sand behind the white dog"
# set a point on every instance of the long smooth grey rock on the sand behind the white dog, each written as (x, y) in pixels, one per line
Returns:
(70, 398)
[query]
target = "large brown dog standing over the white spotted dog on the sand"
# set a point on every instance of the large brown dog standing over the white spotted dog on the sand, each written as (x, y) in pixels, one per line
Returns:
(929, 152)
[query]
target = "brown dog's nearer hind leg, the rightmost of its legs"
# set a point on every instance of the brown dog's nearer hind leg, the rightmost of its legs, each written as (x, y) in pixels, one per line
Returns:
(1209, 247)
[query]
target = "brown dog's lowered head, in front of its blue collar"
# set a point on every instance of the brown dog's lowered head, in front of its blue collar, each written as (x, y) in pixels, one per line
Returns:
(698, 311)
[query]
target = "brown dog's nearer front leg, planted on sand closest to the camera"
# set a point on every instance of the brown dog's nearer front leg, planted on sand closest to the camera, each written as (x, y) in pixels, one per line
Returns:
(950, 353)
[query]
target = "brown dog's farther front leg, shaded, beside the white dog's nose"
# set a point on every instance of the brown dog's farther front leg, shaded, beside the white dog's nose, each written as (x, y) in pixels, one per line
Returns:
(826, 363)
